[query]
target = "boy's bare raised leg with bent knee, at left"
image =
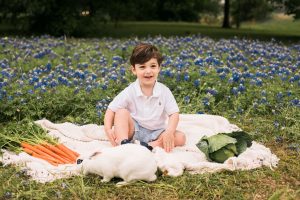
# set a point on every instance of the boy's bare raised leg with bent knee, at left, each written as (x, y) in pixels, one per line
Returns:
(123, 125)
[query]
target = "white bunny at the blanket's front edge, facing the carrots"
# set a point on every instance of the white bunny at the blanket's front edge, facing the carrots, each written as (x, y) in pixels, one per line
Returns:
(130, 162)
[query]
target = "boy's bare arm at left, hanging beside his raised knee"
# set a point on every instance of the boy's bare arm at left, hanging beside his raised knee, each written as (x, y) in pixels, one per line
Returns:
(108, 123)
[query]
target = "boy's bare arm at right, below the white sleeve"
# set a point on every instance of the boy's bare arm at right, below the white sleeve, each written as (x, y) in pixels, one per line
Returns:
(168, 137)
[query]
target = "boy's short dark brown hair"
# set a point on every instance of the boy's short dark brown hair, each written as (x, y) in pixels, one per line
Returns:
(144, 52)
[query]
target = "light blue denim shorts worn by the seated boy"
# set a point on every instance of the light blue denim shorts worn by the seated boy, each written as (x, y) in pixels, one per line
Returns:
(145, 135)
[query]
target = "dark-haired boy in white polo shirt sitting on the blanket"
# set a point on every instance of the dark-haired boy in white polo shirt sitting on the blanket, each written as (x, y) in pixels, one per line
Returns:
(140, 111)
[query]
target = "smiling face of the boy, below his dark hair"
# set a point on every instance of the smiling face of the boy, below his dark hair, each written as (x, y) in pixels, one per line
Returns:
(147, 72)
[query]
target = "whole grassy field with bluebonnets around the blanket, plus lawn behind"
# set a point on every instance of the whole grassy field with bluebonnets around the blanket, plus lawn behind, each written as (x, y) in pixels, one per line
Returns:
(253, 83)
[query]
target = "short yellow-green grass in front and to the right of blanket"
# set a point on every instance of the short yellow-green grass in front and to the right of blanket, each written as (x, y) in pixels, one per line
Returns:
(281, 183)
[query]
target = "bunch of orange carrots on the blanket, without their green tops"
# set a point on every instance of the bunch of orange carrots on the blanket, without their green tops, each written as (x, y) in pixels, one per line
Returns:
(54, 154)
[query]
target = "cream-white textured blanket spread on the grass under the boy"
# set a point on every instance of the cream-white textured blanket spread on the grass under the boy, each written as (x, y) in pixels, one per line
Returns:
(88, 138)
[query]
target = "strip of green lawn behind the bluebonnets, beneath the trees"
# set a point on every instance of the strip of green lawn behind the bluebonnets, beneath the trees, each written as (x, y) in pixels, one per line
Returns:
(283, 30)
